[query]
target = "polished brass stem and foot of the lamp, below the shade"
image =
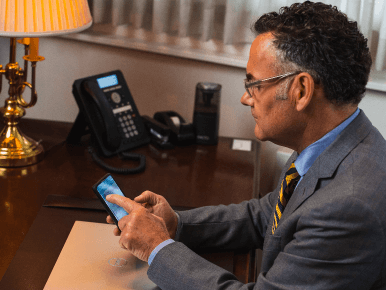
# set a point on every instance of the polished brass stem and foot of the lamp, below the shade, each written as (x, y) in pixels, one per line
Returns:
(16, 149)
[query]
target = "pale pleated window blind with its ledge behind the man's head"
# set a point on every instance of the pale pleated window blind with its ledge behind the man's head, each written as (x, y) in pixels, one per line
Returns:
(211, 30)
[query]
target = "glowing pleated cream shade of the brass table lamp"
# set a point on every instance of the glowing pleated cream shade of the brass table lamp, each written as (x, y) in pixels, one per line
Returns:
(38, 18)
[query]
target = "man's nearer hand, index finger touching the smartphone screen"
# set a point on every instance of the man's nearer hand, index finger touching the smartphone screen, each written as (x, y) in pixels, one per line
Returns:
(142, 231)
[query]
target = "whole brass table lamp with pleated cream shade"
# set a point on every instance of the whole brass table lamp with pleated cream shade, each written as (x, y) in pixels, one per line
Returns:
(29, 20)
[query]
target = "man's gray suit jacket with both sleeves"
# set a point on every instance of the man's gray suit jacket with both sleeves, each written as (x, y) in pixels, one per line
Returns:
(332, 234)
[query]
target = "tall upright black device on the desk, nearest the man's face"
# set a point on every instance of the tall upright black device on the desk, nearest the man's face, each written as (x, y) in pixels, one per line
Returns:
(206, 114)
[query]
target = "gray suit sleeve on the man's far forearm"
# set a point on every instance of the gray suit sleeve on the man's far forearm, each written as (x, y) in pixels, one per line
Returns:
(231, 227)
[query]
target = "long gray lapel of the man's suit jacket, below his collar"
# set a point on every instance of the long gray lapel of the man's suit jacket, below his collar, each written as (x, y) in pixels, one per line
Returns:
(327, 162)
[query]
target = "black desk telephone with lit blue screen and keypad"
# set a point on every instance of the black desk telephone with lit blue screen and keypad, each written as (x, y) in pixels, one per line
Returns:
(107, 108)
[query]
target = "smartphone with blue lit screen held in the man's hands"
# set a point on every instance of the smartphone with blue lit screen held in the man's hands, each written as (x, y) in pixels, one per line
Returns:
(105, 186)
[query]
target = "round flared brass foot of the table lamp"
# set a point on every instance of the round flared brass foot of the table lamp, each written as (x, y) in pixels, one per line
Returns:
(18, 150)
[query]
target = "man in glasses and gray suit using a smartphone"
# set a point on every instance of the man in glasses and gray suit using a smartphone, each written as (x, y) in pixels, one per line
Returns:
(324, 226)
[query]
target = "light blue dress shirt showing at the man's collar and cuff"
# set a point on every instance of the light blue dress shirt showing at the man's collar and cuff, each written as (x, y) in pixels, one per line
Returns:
(304, 161)
